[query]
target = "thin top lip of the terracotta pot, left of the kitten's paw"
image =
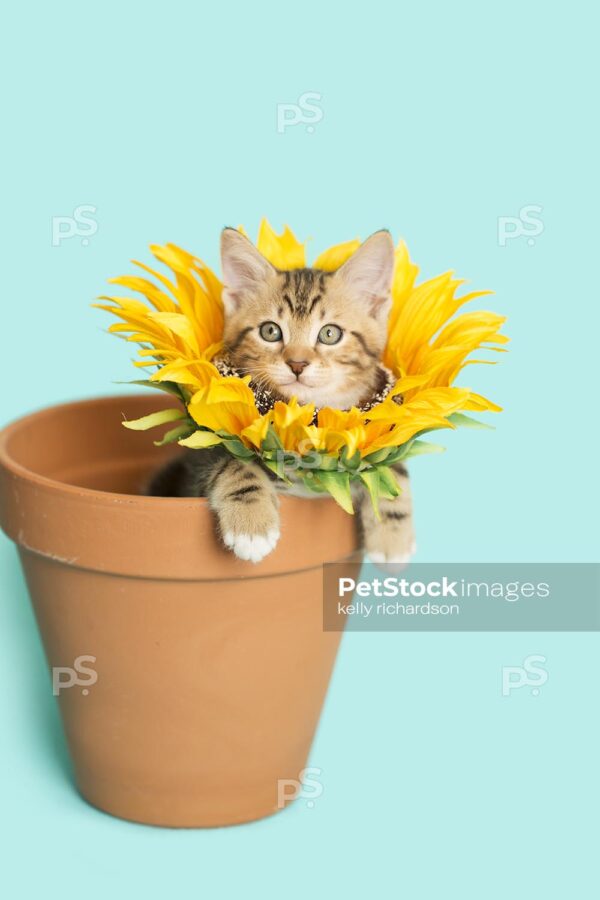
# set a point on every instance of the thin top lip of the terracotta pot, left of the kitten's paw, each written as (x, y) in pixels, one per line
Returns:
(16, 468)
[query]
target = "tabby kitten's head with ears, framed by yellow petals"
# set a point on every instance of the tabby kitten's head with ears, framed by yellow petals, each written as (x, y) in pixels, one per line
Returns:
(314, 335)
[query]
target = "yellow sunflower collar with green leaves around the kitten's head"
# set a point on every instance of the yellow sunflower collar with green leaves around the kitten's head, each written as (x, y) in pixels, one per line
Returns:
(179, 328)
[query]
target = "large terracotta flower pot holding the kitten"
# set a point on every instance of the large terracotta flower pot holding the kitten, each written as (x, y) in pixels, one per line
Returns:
(203, 676)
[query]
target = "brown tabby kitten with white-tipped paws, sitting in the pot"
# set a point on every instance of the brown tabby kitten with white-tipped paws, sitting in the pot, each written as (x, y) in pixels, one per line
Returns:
(318, 336)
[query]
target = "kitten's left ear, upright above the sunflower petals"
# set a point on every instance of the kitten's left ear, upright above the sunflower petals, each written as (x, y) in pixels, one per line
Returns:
(243, 268)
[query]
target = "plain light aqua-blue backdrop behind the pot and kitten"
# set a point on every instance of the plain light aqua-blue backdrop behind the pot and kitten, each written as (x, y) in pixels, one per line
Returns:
(437, 119)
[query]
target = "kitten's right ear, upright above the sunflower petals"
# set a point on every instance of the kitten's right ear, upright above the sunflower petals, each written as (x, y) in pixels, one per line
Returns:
(367, 275)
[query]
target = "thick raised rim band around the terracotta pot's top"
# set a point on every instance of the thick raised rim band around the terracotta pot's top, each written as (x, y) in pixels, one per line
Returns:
(117, 533)
